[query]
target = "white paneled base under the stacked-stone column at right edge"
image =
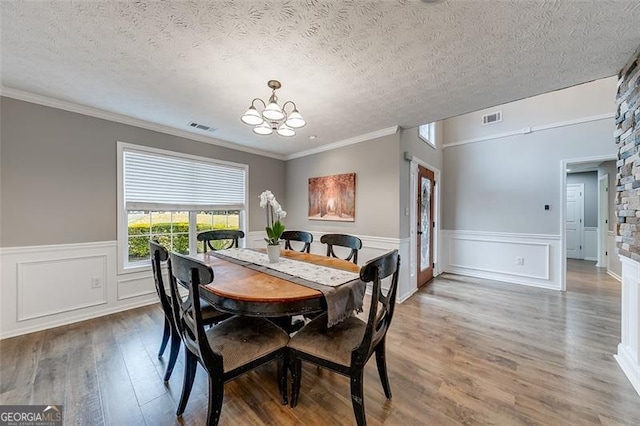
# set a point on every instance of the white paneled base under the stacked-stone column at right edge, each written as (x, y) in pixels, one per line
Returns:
(628, 356)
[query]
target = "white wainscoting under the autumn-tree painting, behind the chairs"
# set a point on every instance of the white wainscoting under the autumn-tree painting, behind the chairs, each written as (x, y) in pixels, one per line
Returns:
(371, 247)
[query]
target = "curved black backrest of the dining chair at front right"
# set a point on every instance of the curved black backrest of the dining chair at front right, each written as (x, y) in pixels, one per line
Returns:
(381, 308)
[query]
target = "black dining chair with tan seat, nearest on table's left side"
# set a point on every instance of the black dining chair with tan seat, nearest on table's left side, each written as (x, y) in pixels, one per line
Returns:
(227, 350)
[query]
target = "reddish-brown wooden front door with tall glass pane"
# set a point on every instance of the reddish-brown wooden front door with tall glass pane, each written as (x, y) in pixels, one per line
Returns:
(426, 184)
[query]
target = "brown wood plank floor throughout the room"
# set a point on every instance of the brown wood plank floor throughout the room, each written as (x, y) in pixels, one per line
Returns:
(460, 351)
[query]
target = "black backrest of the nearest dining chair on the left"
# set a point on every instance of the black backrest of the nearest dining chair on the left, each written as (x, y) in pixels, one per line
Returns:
(191, 273)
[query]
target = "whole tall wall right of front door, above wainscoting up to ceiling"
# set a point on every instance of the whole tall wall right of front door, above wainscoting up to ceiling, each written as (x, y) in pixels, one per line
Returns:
(497, 178)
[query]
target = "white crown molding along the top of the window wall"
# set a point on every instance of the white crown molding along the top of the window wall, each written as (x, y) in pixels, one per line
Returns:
(123, 119)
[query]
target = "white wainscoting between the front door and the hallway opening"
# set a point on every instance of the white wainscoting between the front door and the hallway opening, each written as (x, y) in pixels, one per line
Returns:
(494, 255)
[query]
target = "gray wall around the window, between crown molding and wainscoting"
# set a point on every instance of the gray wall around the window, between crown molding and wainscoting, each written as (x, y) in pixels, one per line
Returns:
(58, 174)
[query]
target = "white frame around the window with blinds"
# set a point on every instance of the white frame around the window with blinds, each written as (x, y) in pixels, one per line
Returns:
(124, 267)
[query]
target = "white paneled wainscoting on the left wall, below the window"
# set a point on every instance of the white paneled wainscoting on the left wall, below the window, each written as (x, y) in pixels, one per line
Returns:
(48, 286)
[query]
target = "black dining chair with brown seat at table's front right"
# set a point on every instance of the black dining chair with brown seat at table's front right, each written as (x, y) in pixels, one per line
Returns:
(346, 347)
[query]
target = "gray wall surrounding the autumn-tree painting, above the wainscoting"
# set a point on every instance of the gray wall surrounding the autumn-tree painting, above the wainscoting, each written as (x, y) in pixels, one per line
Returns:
(375, 163)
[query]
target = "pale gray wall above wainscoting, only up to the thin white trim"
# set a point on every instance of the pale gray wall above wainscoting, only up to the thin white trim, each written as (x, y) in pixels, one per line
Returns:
(502, 185)
